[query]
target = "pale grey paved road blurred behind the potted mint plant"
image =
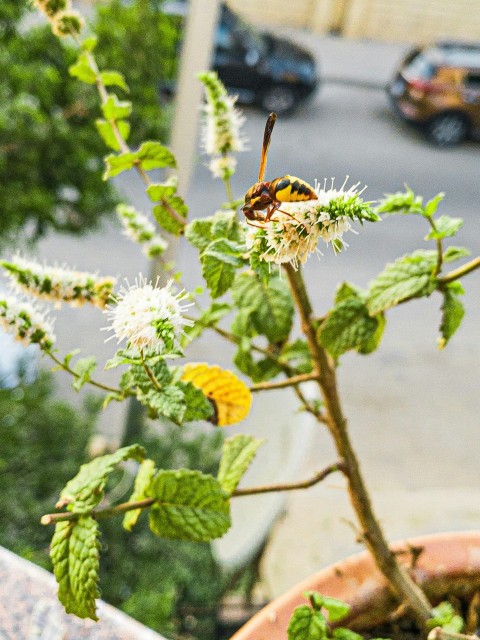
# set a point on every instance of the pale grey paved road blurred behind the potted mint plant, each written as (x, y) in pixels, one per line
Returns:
(413, 410)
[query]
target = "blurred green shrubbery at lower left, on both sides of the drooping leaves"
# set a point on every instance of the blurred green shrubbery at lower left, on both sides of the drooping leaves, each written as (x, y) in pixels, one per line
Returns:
(171, 586)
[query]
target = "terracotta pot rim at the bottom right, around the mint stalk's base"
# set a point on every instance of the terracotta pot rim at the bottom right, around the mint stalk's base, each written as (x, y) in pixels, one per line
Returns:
(449, 563)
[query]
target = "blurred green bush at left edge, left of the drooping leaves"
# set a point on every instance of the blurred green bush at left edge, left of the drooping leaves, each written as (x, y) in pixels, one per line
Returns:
(44, 440)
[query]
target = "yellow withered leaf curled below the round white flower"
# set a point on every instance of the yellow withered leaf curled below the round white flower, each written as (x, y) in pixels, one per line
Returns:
(231, 396)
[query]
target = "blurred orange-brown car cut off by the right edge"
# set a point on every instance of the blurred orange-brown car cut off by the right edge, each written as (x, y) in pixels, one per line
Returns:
(438, 88)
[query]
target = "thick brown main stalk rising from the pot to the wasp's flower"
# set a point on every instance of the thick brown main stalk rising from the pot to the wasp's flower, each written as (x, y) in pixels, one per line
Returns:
(401, 582)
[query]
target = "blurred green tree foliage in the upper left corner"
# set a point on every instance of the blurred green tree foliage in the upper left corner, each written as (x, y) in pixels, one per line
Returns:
(50, 152)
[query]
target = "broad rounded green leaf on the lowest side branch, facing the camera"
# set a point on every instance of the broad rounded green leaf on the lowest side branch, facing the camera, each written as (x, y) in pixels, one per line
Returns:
(189, 506)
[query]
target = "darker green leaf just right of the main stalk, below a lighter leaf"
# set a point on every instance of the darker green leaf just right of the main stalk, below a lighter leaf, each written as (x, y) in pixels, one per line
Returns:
(350, 326)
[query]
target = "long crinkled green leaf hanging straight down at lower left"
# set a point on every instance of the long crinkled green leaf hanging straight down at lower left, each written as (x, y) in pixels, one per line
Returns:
(75, 556)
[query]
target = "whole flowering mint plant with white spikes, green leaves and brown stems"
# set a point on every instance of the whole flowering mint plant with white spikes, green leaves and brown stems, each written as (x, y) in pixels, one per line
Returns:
(253, 273)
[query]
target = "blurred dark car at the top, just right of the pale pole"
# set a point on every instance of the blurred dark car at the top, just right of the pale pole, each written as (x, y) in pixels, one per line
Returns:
(260, 68)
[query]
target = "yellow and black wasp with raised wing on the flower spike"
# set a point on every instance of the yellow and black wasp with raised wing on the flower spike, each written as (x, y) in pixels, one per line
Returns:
(270, 195)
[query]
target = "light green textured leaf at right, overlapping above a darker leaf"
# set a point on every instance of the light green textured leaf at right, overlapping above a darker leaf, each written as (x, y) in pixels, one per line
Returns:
(410, 276)
